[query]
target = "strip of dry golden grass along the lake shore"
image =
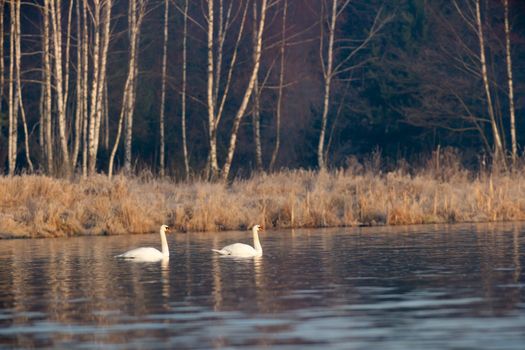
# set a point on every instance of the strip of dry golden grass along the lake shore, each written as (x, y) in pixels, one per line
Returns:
(39, 206)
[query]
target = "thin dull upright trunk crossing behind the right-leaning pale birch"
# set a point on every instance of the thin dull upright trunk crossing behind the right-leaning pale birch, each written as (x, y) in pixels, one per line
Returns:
(256, 115)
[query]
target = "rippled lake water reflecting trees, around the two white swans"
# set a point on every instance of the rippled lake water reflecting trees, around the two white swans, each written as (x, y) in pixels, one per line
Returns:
(411, 287)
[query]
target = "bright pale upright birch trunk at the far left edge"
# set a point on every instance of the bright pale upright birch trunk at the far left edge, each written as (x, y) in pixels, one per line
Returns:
(13, 96)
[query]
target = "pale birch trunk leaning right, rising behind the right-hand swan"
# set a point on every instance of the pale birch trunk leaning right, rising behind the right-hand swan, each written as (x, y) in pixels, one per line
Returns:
(242, 108)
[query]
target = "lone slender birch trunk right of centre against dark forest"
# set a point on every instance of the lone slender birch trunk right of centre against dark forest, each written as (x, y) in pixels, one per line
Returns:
(328, 74)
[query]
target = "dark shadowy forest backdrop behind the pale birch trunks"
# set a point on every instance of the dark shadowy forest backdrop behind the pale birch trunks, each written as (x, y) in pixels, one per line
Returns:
(415, 86)
